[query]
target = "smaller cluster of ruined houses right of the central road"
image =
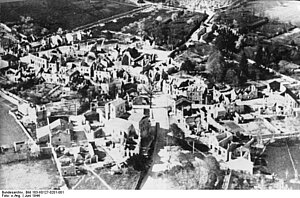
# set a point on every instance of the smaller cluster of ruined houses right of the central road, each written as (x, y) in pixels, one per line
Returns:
(222, 113)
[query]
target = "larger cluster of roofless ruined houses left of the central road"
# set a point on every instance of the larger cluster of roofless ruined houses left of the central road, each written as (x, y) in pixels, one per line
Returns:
(106, 129)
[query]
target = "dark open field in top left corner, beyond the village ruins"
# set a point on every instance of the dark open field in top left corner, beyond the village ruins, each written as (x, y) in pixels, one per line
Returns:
(66, 14)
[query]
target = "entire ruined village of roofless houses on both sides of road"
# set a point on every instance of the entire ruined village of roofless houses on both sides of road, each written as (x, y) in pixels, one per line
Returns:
(113, 127)
